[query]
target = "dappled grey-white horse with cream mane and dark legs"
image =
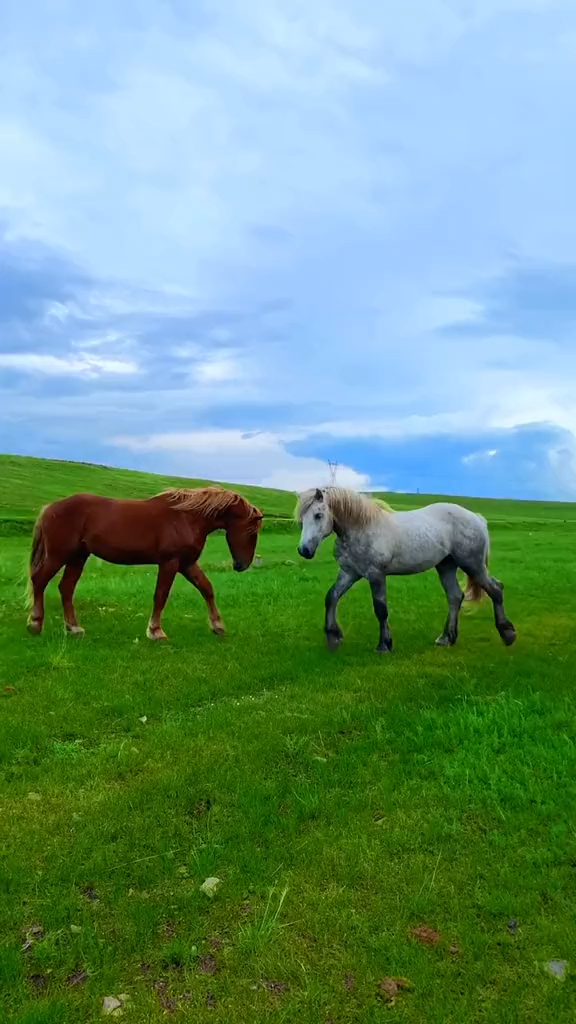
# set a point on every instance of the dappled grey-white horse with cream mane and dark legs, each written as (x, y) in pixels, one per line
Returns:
(374, 542)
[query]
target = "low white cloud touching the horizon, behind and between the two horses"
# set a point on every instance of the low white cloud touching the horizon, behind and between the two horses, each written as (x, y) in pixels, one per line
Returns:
(242, 458)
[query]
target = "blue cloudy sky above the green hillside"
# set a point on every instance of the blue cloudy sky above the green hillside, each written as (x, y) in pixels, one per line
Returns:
(241, 239)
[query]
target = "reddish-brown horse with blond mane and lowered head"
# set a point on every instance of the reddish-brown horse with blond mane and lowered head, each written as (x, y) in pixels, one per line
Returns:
(169, 531)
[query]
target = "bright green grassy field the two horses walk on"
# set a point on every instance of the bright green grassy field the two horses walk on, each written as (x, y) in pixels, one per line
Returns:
(344, 800)
